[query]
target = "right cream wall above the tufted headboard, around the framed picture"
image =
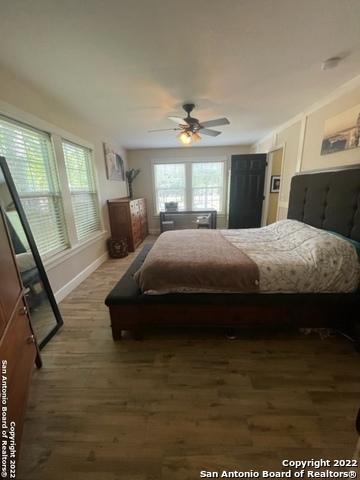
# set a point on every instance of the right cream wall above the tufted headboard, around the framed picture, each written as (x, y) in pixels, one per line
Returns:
(302, 138)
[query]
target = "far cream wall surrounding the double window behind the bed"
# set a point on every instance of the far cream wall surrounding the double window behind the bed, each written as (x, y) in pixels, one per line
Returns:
(142, 159)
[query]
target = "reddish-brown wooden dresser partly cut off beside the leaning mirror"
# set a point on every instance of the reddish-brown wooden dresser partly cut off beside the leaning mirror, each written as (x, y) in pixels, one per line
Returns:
(18, 349)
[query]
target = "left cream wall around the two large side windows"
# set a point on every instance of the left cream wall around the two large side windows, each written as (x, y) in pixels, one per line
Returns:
(23, 102)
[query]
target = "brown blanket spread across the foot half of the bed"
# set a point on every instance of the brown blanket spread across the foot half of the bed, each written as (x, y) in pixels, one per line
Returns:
(196, 261)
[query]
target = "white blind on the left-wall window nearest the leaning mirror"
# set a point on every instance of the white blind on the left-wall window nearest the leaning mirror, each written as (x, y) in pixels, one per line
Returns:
(31, 161)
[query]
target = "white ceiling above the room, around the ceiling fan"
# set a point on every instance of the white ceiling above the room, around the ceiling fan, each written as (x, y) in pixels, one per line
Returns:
(125, 65)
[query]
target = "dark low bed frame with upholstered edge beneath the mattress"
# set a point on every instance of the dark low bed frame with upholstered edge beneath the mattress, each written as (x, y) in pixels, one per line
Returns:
(132, 311)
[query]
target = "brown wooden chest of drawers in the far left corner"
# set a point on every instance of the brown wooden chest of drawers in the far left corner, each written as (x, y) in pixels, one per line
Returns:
(128, 219)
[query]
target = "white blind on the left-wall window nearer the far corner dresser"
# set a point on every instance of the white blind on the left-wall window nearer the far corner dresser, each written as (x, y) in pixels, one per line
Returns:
(82, 188)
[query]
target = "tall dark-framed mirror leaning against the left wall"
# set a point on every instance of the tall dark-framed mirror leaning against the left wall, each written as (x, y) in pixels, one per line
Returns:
(44, 312)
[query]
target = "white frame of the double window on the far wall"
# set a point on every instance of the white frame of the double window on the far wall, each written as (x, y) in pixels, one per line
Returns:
(189, 161)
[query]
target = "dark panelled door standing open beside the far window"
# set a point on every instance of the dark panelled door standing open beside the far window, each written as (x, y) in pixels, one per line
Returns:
(246, 190)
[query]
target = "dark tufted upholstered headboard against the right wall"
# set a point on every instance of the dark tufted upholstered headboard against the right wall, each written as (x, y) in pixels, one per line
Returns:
(328, 199)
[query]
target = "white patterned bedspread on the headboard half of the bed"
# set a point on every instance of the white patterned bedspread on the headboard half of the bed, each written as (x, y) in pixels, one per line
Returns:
(296, 258)
